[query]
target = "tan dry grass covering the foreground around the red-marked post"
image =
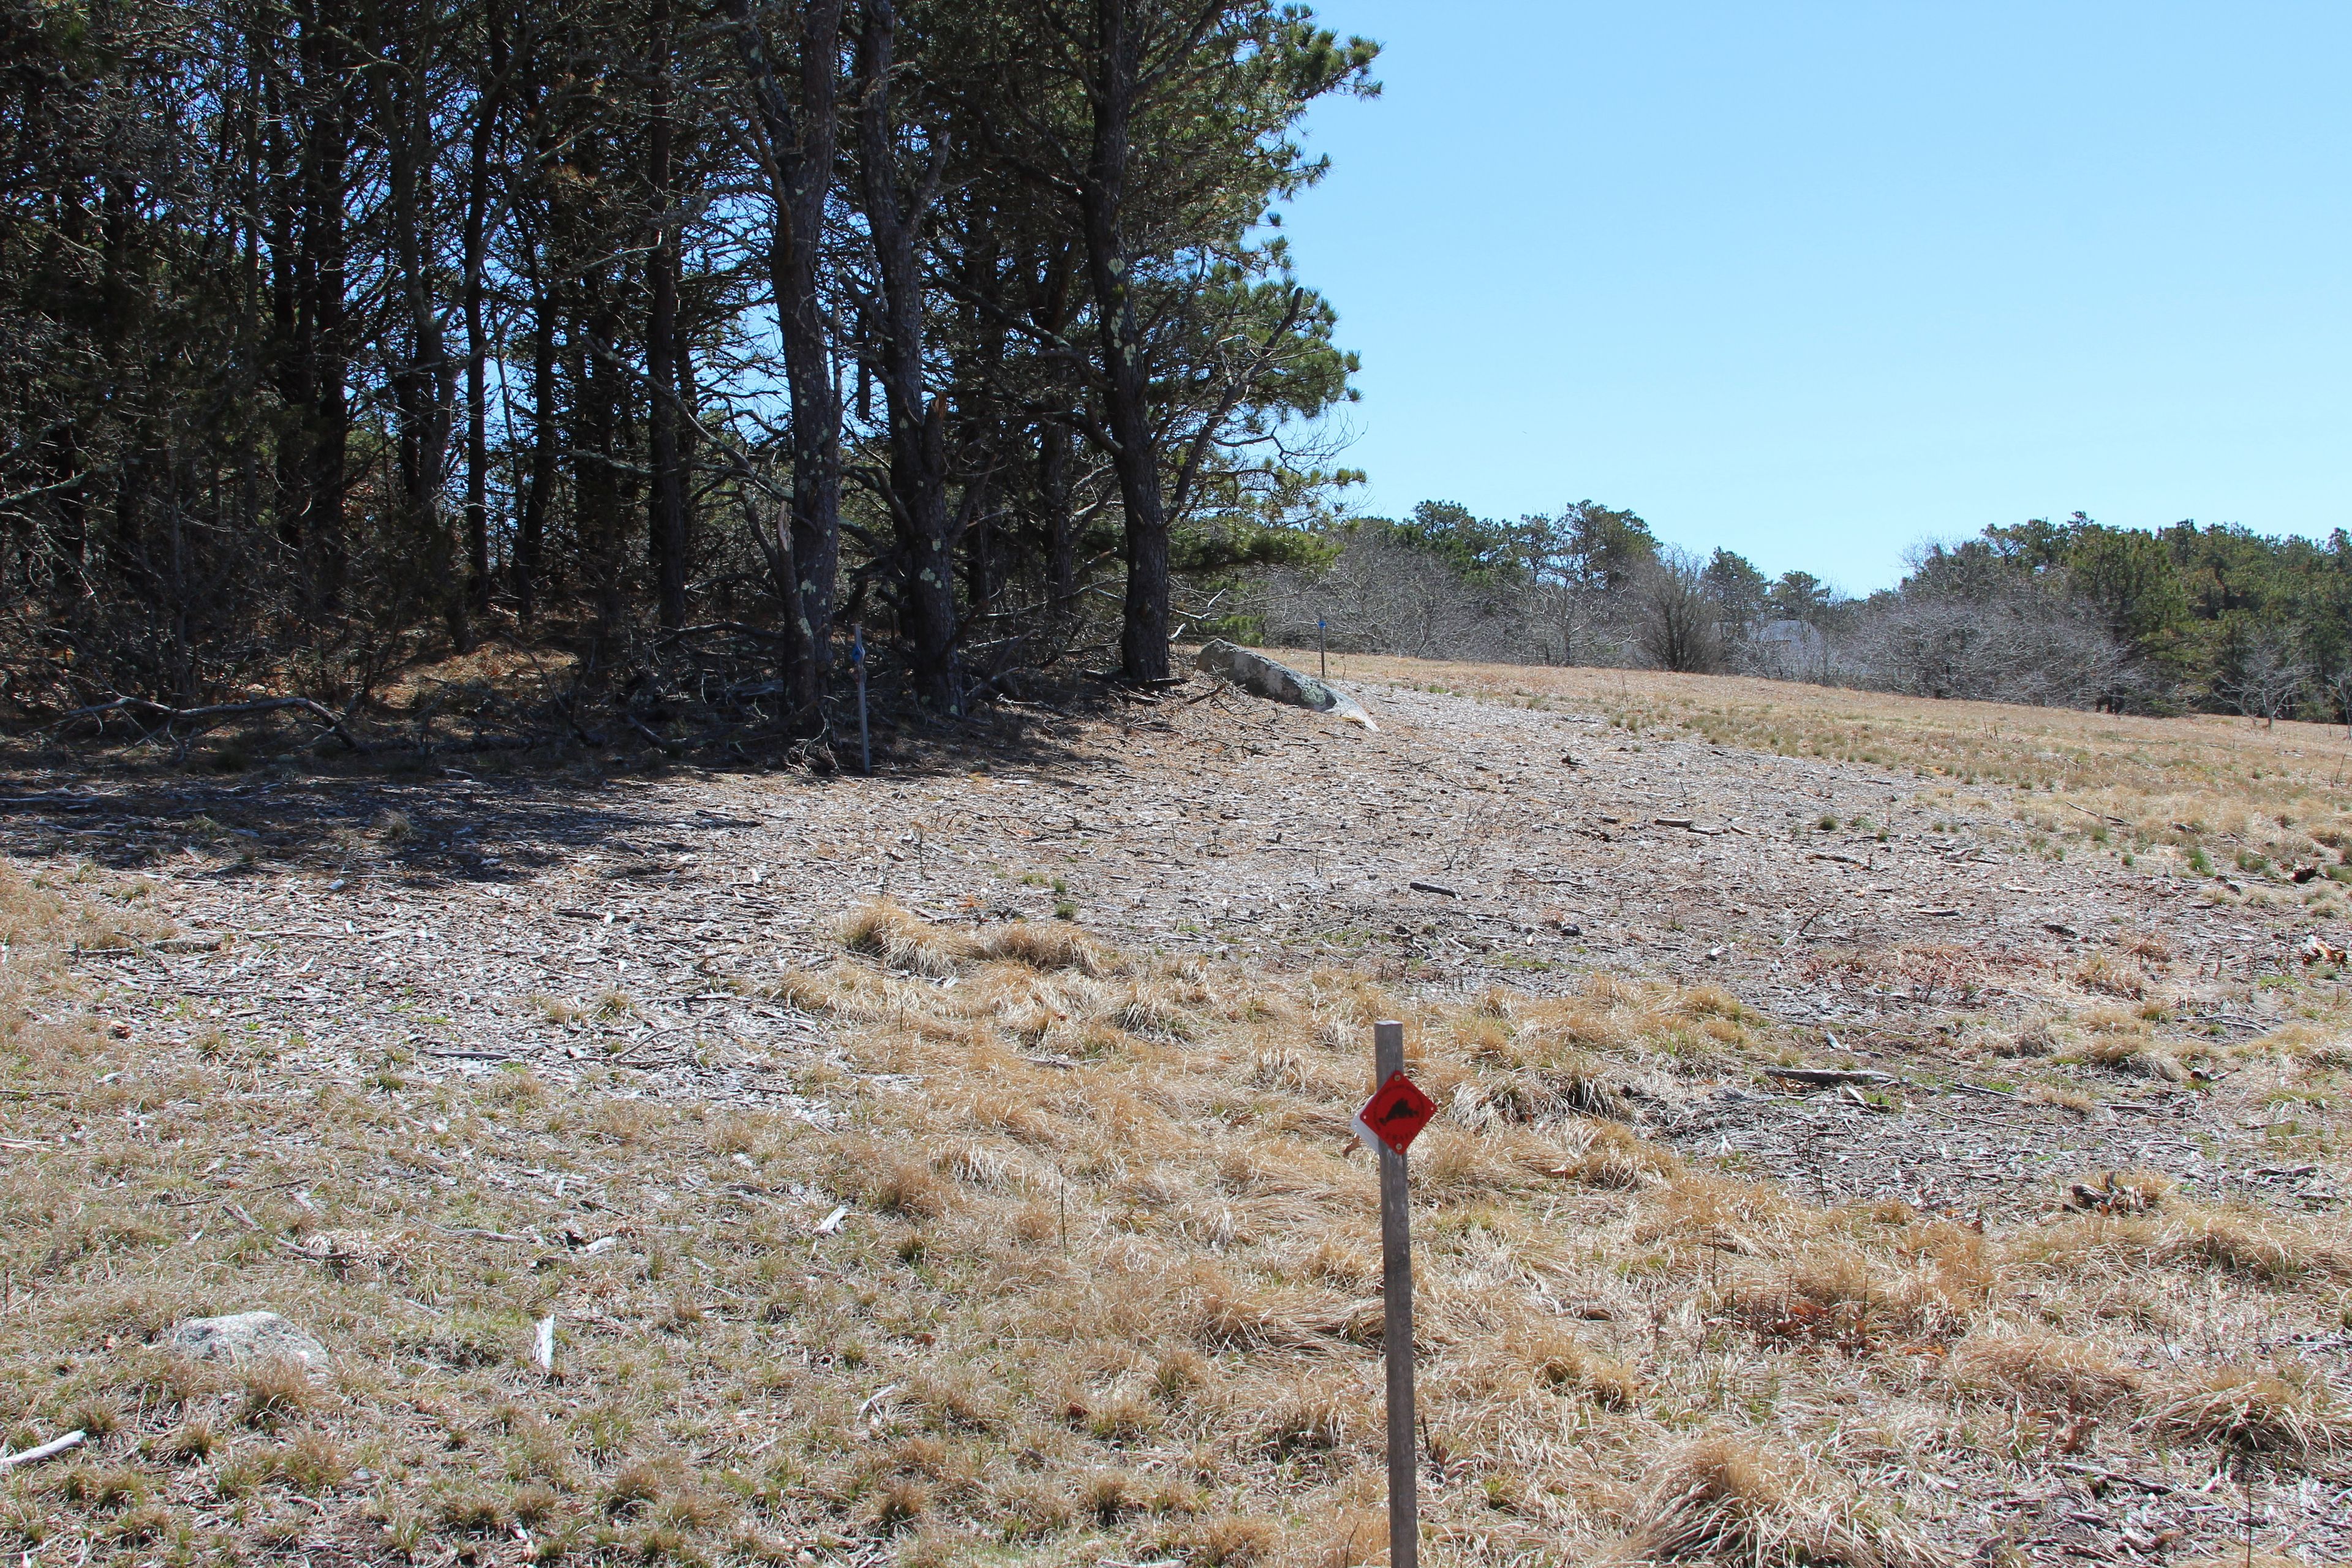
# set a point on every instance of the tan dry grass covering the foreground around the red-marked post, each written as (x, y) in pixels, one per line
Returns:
(1107, 1289)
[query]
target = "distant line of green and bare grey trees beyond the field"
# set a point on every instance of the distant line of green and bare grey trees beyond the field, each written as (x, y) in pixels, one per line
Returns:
(2071, 612)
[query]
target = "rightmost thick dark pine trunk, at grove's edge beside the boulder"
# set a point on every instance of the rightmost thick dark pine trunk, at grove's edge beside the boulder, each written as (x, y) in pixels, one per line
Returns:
(1135, 448)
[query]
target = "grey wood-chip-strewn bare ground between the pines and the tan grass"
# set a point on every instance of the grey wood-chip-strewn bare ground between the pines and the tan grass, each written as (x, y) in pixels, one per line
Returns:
(476, 920)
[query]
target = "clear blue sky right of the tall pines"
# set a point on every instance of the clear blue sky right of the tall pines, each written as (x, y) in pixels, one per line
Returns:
(1822, 281)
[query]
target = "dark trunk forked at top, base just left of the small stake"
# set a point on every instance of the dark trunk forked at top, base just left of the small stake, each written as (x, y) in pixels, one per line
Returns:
(799, 147)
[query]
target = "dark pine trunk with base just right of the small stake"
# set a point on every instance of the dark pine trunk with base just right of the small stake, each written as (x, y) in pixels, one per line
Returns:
(918, 422)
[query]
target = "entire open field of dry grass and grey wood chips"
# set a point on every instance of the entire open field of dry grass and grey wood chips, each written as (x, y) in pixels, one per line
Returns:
(956, 1165)
